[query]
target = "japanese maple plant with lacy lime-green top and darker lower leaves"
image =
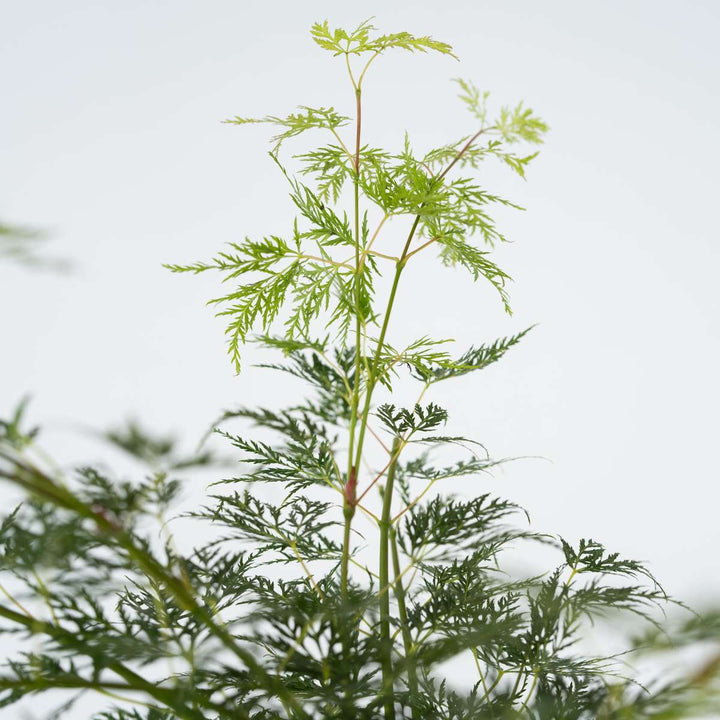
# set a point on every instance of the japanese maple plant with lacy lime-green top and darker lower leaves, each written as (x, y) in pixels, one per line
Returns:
(339, 576)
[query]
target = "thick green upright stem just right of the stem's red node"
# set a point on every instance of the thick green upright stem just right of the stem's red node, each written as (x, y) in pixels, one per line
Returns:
(385, 642)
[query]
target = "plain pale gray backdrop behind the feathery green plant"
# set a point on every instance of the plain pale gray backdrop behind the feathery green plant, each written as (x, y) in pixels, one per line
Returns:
(110, 137)
